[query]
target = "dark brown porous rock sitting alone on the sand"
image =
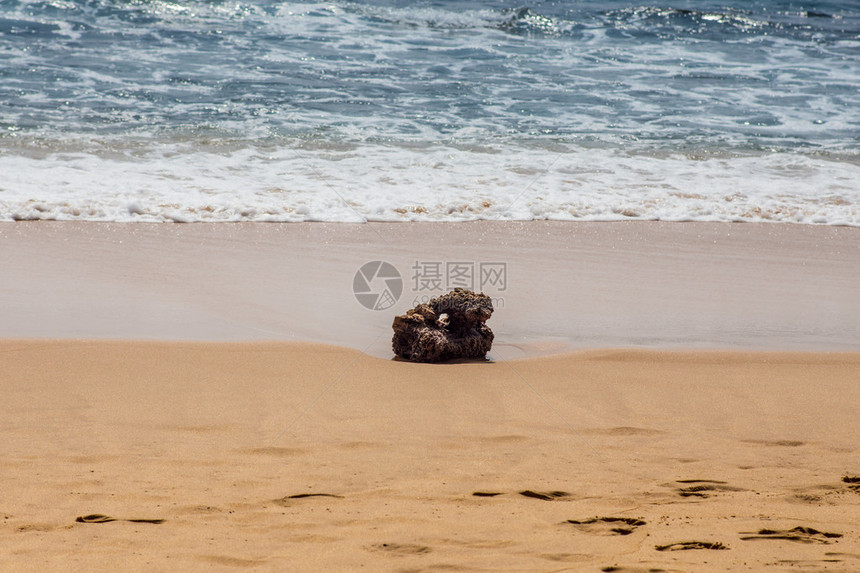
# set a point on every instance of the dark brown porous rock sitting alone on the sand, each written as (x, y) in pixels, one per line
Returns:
(450, 326)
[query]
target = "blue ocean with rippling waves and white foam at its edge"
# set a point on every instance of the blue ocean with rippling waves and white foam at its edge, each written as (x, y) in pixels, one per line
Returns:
(188, 111)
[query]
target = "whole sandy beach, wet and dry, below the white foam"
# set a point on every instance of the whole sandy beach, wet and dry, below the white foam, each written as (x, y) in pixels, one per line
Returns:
(661, 397)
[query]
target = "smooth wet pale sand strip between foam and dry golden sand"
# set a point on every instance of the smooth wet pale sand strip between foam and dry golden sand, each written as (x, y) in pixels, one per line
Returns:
(568, 286)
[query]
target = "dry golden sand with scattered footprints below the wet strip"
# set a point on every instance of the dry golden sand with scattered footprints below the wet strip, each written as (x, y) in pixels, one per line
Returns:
(299, 457)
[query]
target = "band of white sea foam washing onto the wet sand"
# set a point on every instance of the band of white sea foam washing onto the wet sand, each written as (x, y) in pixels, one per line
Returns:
(435, 183)
